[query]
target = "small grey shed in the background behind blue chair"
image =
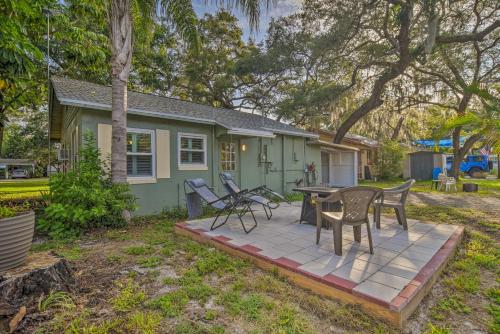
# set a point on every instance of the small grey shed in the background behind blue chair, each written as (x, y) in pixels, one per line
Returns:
(420, 164)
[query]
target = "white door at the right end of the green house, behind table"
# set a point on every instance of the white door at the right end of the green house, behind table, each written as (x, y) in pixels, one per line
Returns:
(343, 168)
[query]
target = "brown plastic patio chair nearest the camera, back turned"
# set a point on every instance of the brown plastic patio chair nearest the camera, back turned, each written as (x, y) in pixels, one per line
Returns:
(355, 204)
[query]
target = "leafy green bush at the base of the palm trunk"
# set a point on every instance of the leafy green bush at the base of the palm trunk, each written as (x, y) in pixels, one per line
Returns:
(85, 198)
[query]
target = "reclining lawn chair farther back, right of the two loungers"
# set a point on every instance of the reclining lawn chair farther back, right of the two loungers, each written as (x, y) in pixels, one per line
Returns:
(261, 195)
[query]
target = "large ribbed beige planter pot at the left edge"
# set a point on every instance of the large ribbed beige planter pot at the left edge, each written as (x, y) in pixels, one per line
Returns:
(16, 235)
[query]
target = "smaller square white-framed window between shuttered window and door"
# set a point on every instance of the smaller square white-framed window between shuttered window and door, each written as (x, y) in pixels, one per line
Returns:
(192, 151)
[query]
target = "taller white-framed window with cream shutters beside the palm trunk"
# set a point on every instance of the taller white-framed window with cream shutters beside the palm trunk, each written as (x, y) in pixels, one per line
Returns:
(140, 148)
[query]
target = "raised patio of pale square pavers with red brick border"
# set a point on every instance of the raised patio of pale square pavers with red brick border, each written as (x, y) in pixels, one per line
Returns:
(389, 284)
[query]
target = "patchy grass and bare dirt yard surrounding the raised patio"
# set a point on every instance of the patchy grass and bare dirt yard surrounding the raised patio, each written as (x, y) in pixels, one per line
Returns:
(186, 287)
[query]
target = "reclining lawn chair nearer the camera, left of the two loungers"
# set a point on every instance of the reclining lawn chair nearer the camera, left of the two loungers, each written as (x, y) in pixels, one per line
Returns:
(227, 204)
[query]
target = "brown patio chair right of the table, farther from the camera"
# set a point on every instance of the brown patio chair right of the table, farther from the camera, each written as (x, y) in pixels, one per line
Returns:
(393, 198)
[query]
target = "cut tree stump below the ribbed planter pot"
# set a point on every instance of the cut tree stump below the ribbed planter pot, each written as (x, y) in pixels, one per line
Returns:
(23, 286)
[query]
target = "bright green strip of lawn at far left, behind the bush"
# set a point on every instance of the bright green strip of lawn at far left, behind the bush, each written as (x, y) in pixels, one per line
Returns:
(23, 189)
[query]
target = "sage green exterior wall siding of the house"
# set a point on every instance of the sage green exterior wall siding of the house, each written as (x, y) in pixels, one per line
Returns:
(287, 157)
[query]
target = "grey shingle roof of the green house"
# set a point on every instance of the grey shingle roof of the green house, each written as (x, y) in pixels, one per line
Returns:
(90, 95)
